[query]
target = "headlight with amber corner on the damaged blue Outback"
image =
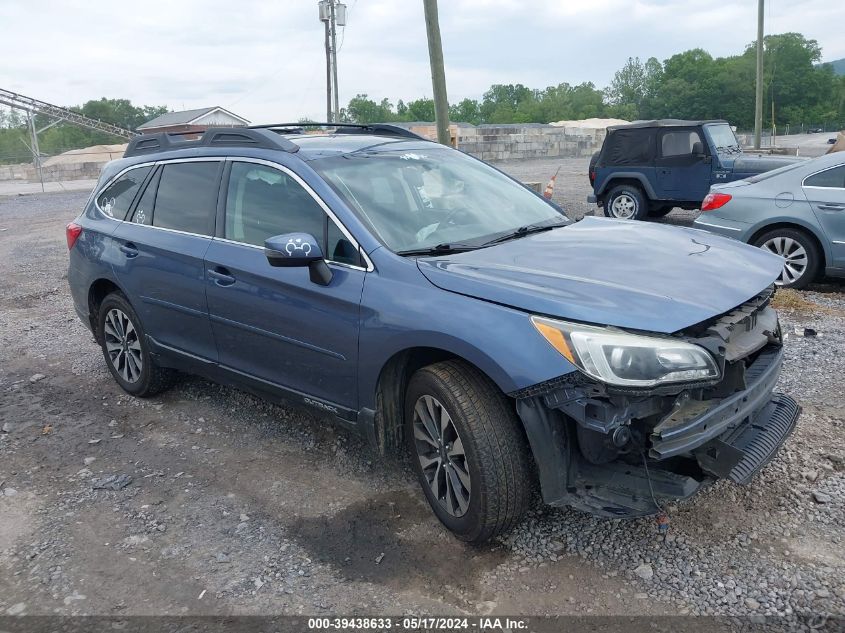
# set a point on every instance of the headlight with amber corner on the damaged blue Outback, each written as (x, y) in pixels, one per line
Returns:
(629, 360)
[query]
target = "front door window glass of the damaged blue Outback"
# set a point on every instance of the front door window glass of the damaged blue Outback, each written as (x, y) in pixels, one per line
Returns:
(262, 202)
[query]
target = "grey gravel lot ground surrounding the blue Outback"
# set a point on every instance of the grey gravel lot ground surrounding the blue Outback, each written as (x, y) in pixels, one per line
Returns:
(236, 506)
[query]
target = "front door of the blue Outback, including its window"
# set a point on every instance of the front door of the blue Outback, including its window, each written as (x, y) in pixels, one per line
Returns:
(275, 324)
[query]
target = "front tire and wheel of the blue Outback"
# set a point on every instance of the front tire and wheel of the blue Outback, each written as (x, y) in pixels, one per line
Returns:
(459, 426)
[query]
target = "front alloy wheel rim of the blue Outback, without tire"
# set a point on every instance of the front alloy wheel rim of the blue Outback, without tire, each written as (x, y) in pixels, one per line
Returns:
(440, 451)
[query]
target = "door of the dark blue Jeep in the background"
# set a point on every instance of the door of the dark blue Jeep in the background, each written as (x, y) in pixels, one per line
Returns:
(683, 171)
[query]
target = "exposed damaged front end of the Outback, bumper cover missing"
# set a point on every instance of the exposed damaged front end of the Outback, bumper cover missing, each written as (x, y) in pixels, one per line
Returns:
(621, 451)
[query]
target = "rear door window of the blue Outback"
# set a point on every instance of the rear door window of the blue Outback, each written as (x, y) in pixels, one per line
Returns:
(186, 199)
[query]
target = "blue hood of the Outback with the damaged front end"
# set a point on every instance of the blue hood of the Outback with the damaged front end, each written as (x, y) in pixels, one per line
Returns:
(629, 274)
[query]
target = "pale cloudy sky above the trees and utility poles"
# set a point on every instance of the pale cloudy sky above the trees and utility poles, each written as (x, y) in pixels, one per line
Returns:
(264, 59)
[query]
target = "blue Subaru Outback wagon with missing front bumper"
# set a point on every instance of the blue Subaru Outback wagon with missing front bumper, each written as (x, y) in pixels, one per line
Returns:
(434, 305)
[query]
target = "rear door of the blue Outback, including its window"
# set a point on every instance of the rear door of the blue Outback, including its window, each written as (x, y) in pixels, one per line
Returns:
(162, 246)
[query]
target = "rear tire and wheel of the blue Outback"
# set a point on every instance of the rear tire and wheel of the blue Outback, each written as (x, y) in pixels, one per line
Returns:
(126, 350)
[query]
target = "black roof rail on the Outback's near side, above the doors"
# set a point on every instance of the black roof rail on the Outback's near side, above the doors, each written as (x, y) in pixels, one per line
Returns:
(212, 137)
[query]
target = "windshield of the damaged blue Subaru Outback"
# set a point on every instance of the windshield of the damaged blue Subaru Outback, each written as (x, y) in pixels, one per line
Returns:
(415, 200)
